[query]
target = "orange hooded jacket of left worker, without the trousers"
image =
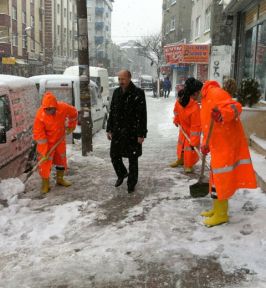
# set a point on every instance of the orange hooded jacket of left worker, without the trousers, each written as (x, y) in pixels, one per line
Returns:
(48, 129)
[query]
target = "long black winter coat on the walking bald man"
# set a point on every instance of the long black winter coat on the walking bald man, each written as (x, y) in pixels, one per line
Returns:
(127, 121)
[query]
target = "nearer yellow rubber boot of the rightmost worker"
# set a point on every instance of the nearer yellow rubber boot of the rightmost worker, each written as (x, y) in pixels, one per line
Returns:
(220, 215)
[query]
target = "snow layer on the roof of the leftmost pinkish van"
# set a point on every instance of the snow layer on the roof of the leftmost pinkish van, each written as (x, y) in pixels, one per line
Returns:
(15, 82)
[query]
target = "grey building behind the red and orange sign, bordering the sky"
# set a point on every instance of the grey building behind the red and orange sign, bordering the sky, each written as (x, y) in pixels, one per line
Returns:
(176, 28)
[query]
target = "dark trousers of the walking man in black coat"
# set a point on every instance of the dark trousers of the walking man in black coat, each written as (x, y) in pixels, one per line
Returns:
(121, 170)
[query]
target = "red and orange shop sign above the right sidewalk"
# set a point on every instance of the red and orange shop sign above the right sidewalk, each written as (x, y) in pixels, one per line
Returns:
(187, 53)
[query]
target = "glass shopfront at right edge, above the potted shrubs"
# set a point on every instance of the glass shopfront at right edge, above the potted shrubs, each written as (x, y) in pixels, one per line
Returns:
(249, 40)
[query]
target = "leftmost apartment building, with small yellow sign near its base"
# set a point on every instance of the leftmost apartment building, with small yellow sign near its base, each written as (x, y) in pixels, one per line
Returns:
(21, 37)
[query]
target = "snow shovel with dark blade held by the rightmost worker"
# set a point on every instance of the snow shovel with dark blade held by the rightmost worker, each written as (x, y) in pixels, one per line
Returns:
(201, 189)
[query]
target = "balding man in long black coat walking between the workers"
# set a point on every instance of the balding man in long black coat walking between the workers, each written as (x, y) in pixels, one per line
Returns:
(127, 128)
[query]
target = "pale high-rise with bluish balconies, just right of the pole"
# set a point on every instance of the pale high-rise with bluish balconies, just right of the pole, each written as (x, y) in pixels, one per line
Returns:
(99, 29)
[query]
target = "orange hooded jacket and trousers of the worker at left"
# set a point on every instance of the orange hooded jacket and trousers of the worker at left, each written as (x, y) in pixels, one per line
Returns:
(49, 129)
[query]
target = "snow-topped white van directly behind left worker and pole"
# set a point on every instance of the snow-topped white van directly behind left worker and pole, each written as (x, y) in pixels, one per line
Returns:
(67, 89)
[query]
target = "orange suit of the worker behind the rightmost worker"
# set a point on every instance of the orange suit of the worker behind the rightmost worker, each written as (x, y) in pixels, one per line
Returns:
(189, 119)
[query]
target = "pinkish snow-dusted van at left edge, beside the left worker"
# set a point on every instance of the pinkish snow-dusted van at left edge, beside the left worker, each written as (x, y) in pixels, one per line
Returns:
(19, 102)
